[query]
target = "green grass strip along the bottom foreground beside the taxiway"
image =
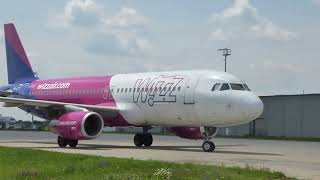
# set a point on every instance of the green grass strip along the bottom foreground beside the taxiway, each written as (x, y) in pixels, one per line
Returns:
(19, 163)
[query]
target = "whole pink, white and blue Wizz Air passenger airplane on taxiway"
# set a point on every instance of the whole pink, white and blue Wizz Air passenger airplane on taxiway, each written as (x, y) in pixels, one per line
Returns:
(191, 104)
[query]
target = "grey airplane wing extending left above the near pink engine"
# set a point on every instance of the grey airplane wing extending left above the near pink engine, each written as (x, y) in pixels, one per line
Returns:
(59, 107)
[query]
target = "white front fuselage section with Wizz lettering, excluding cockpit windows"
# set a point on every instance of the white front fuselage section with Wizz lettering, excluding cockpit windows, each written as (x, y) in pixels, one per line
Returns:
(185, 99)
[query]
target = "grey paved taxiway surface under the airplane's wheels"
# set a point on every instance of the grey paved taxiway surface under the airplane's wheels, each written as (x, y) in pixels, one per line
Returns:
(297, 159)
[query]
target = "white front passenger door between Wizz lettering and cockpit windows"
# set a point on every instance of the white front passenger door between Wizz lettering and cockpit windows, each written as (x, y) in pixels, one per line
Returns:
(190, 88)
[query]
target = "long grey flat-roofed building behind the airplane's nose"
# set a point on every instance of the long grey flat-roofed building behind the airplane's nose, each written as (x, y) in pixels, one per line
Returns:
(284, 115)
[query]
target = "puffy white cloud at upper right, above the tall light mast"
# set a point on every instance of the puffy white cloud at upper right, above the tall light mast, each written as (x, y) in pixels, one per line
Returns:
(243, 19)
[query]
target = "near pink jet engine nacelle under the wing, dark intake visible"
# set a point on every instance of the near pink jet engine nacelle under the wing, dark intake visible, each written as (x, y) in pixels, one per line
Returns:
(78, 125)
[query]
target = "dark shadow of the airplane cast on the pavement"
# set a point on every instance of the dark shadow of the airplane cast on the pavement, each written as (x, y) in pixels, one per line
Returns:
(220, 149)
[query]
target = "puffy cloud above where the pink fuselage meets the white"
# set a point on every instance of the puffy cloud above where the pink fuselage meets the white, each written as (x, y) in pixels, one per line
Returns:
(125, 33)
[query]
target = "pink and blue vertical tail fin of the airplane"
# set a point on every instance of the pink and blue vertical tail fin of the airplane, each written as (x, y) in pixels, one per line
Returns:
(18, 65)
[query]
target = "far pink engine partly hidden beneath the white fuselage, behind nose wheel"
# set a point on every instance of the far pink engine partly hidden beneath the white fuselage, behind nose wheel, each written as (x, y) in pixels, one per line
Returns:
(194, 132)
